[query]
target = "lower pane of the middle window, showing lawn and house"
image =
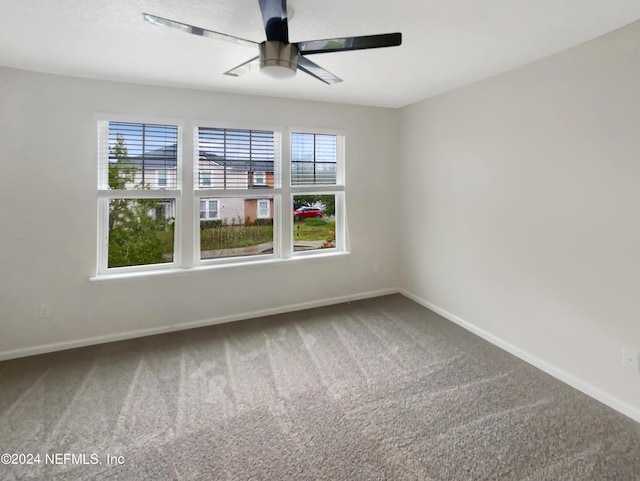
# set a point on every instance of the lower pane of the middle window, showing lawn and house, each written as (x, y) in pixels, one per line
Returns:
(238, 230)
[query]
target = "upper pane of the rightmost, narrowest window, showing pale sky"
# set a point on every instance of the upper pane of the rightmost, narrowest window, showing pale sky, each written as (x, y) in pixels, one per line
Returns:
(313, 159)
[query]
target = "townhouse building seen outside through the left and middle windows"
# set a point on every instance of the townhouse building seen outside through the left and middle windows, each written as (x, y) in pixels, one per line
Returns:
(157, 169)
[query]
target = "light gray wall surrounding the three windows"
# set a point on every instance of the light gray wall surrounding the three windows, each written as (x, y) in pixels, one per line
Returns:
(48, 214)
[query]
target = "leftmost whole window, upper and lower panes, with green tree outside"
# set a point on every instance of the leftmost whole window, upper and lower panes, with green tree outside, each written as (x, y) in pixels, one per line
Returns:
(138, 193)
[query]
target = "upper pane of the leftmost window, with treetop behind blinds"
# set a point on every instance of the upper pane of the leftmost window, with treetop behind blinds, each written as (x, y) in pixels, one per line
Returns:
(142, 156)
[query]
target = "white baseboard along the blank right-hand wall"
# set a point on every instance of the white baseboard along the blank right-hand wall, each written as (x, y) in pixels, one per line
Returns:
(583, 386)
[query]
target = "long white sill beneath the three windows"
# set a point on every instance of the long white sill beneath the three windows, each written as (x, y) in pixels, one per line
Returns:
(186, 271)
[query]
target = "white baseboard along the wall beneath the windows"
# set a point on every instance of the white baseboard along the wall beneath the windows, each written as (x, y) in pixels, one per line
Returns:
(121, 336)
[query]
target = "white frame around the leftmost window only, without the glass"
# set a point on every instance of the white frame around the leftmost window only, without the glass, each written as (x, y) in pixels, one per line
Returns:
(105, 194)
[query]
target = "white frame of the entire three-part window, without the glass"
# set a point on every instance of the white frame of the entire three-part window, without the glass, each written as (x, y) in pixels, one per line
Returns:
(188, 192)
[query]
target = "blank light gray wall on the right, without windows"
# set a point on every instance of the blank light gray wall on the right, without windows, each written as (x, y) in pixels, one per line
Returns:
(524, 221)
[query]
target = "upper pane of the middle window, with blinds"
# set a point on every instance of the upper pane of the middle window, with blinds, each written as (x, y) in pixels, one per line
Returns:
(235, 159)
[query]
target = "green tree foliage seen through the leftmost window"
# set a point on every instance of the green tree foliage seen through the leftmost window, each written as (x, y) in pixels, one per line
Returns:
(134, 224)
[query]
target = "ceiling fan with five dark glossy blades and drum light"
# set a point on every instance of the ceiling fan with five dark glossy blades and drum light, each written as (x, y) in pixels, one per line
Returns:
(278, 57)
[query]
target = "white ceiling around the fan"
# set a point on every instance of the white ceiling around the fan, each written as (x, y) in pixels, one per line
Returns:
(446, 43)
